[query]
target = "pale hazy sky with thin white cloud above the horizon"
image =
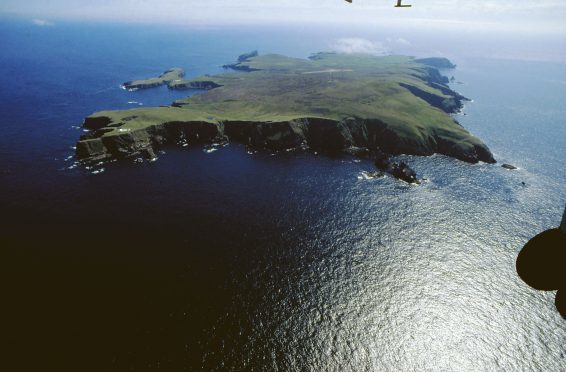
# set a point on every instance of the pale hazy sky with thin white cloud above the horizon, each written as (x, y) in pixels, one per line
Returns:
(504, 16)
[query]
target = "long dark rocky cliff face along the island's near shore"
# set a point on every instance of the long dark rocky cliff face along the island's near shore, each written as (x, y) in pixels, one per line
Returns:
(323, 135)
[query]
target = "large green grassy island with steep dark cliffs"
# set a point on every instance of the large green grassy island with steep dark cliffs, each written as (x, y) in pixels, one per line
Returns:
(365, 105)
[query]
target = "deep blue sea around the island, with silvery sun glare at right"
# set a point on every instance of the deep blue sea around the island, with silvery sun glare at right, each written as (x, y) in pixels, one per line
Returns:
(231, 261)
